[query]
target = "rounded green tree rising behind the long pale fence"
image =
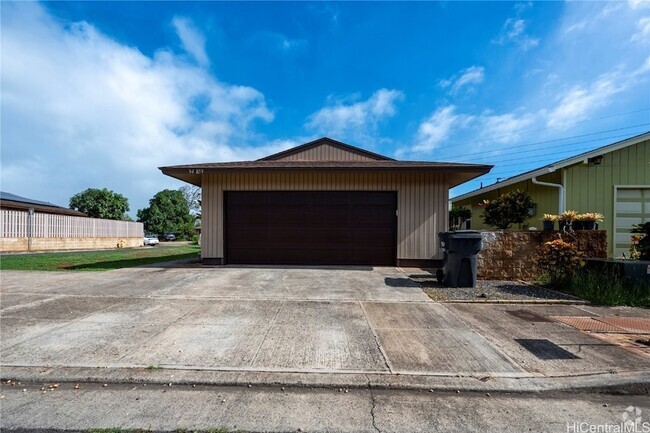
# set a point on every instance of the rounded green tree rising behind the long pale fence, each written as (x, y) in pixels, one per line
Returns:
(101, 203)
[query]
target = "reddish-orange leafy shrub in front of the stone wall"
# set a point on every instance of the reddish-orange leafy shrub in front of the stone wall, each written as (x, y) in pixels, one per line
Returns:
(560, 260)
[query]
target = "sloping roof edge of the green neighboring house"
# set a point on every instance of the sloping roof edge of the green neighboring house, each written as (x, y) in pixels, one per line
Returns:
(583, 157)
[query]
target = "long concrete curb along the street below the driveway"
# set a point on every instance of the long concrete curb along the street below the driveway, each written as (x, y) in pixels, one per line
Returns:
(629, 383)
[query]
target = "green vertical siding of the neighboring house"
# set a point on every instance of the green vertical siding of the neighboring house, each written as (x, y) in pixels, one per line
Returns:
(588, 188)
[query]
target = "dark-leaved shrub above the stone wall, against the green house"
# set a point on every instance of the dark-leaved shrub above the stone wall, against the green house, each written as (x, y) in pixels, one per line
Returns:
(507, 209)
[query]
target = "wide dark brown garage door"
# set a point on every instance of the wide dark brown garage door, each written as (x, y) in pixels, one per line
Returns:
(311, 227)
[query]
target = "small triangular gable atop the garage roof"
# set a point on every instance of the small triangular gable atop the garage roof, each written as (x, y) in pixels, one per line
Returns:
(309, 152)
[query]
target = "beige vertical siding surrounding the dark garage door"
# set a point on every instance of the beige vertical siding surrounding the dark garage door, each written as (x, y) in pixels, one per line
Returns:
(422, 203)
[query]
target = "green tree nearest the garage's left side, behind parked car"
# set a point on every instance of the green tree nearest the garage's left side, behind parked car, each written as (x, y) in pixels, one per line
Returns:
(168, 211)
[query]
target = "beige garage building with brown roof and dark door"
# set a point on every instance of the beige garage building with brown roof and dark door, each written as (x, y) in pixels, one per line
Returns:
(324, 203)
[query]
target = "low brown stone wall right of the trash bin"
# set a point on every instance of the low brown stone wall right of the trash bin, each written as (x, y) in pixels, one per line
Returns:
(512, 255)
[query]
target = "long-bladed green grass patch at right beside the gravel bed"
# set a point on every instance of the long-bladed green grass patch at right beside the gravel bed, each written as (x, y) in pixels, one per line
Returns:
(604, 289)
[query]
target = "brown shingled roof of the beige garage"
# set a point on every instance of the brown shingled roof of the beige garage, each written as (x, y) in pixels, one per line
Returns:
(192, 172)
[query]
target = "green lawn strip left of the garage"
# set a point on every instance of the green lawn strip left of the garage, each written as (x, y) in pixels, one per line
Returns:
(97, 260)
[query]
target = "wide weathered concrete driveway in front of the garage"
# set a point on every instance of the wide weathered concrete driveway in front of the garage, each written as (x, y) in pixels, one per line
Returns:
(296, 320)
